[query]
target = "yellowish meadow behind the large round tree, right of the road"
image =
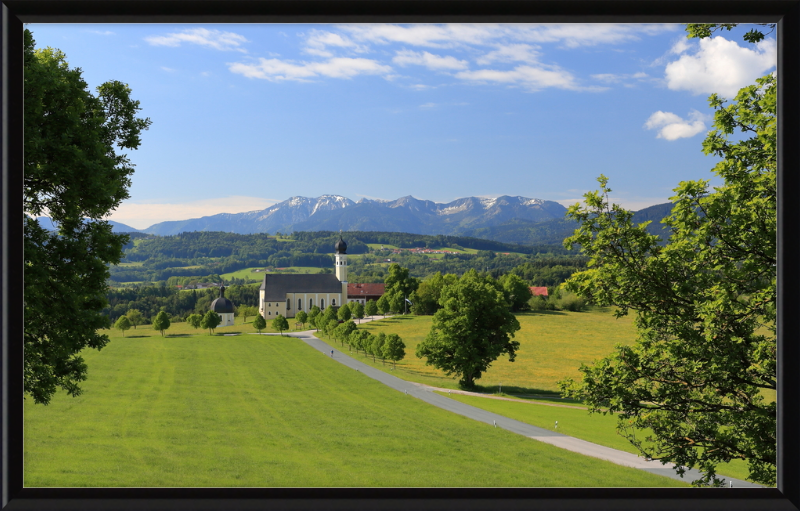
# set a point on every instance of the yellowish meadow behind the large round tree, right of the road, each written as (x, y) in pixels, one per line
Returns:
(553, 344)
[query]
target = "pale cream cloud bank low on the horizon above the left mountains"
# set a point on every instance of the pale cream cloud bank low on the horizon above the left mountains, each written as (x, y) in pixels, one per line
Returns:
(141, 215)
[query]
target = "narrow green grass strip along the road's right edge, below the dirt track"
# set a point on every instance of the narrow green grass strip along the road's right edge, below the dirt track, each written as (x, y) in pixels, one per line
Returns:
(596, 428)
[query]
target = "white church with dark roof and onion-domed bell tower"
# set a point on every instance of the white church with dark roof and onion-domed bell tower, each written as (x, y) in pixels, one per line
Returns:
(288, 294)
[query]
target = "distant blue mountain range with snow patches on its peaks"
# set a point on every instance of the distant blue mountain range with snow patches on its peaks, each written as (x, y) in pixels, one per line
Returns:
(511, 219)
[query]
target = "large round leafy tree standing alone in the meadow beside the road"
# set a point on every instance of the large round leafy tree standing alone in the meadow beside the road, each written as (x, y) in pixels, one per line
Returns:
(471, 330)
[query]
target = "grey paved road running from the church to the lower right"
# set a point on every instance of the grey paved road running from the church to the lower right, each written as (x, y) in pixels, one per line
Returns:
(427, 394)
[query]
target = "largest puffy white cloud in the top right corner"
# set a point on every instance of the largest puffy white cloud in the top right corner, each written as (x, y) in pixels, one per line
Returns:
(721, 66)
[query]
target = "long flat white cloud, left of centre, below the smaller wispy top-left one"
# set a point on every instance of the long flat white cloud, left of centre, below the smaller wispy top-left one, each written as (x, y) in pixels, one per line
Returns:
(278, 70)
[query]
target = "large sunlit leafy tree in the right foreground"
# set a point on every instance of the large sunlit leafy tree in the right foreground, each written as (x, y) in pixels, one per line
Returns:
(702, 373)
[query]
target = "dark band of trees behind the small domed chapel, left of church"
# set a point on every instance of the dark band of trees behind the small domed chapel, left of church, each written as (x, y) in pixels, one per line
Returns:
(149, 300)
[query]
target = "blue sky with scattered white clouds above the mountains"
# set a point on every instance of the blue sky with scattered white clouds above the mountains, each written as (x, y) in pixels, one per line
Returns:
(245, 116)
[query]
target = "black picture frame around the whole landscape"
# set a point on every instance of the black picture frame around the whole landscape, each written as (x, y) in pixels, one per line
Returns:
(13, 13)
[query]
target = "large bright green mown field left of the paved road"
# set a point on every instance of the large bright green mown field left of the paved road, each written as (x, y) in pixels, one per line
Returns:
(198, 410)
